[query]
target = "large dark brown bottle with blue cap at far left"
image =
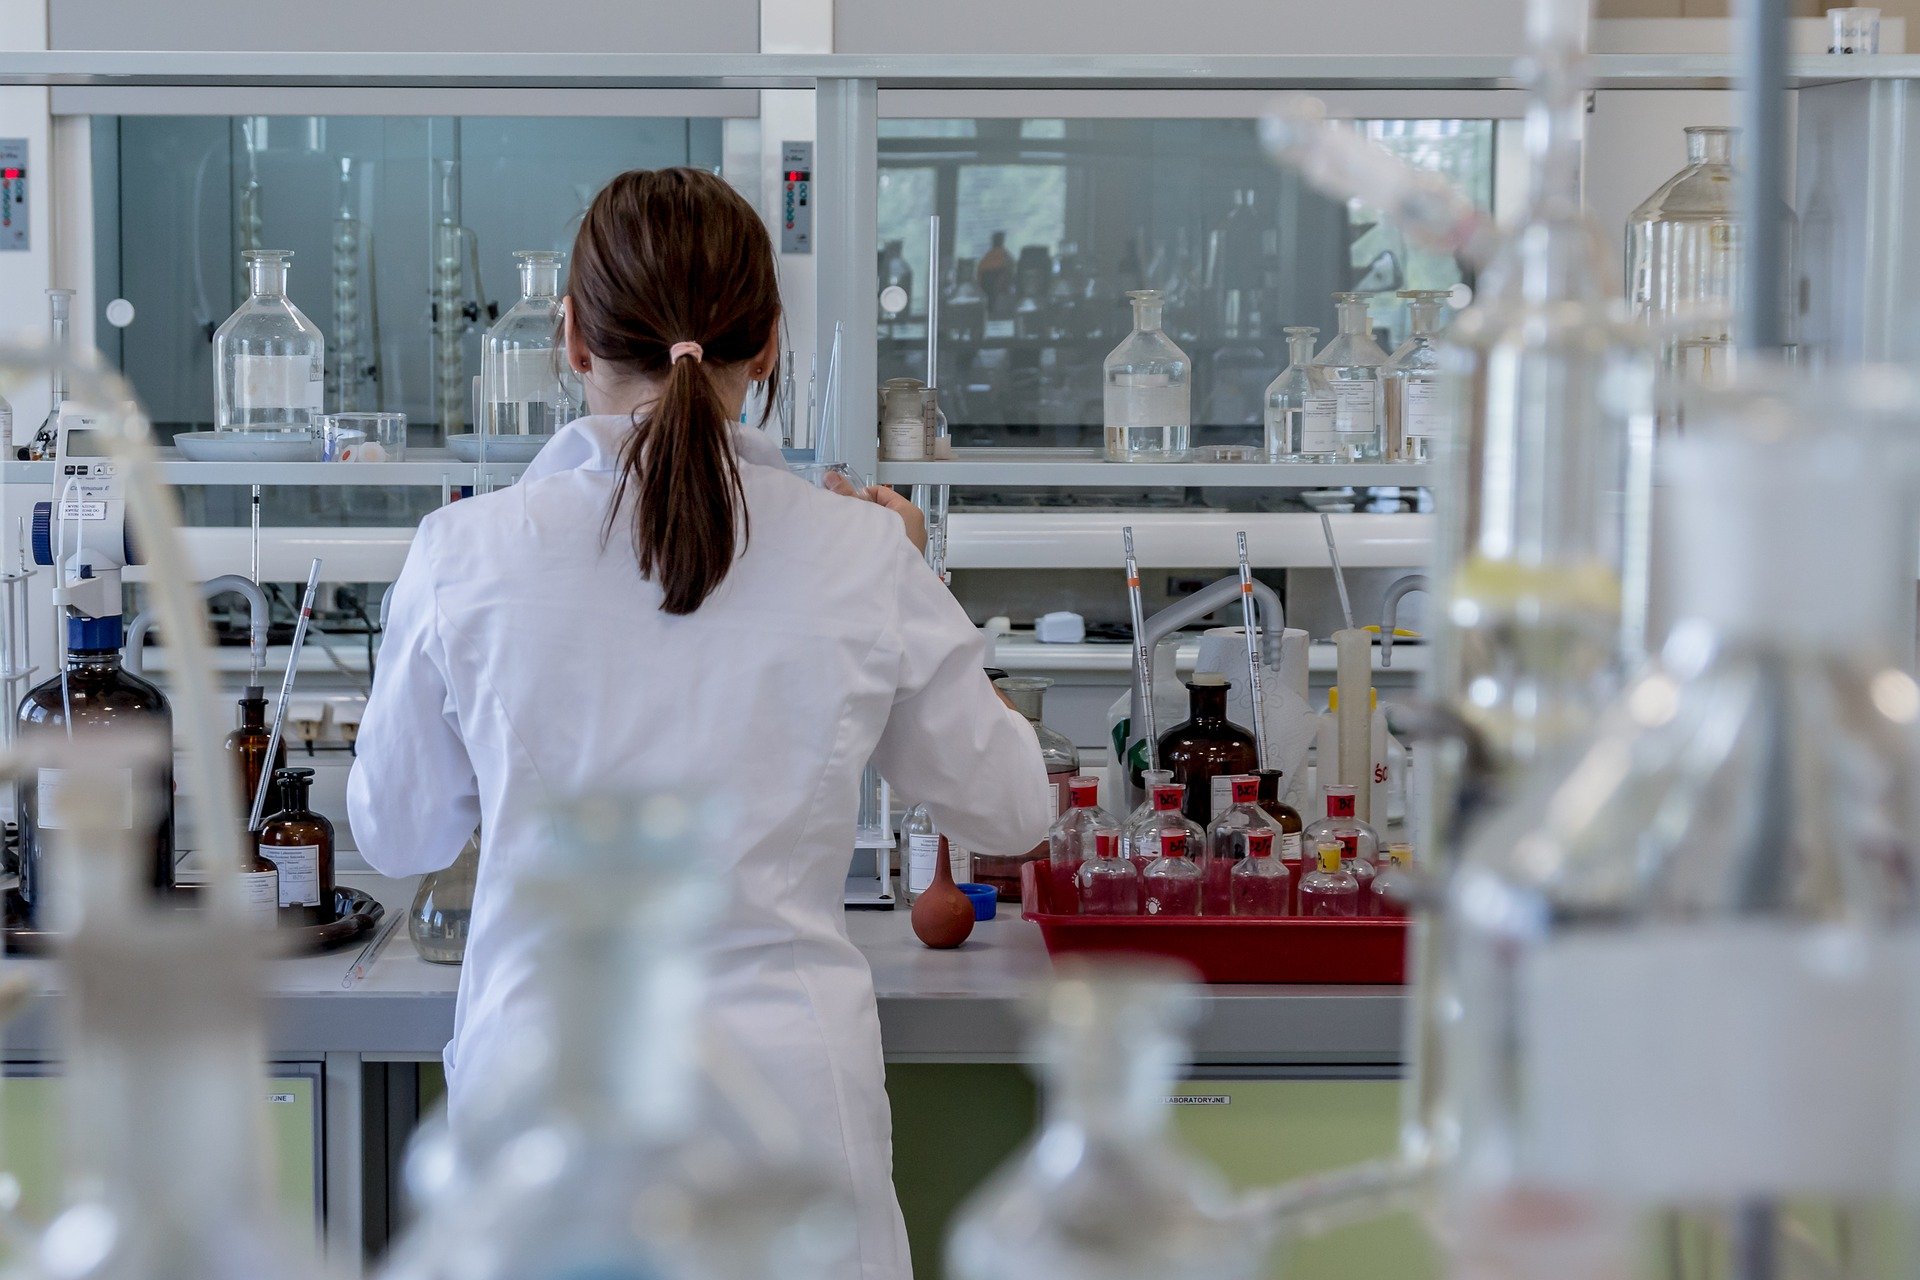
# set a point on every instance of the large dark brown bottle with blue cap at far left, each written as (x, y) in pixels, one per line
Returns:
(103, 698)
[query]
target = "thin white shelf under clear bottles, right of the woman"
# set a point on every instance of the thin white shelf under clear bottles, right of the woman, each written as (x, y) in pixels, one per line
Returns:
(1090, 471)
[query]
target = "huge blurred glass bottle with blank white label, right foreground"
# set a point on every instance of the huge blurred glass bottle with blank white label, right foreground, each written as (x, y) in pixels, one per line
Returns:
(1723, 882)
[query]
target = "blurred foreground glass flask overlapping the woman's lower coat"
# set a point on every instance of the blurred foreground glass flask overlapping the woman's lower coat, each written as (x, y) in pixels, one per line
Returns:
(602, 1150)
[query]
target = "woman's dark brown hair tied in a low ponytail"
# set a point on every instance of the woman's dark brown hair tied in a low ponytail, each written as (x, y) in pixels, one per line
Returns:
(667, 258)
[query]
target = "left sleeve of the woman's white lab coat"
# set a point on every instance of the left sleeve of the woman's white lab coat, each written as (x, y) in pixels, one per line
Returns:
(412, 797)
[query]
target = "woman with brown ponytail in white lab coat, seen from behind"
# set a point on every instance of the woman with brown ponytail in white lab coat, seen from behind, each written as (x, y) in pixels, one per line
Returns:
(660, 604)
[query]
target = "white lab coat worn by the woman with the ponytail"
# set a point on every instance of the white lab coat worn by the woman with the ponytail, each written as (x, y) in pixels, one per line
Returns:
(523, 661)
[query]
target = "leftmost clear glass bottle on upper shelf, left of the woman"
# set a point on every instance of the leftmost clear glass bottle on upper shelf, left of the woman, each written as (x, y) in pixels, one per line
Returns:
(270, 362)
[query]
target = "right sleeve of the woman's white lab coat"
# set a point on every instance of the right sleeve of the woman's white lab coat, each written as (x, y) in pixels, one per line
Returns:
(949, 742)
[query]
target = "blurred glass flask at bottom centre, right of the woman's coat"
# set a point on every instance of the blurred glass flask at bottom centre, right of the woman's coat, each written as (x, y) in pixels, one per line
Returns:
(1103, 1189)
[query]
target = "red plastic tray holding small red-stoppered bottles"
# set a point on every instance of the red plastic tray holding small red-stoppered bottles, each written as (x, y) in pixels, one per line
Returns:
(1228, 949)
